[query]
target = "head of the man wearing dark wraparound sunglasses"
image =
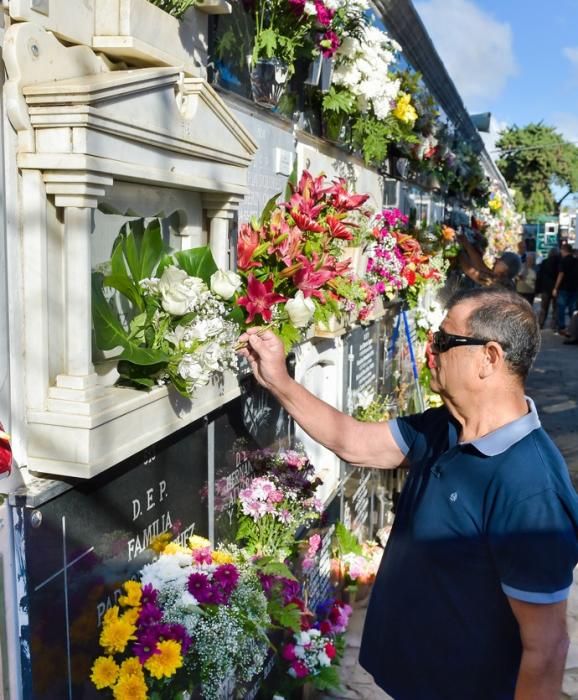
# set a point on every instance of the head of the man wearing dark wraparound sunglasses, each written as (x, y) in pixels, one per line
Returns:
(500, 340)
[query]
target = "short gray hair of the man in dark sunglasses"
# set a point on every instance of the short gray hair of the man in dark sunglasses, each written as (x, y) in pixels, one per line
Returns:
(506, 317)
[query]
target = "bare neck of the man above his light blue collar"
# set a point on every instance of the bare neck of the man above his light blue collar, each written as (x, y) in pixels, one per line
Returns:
(481, 415)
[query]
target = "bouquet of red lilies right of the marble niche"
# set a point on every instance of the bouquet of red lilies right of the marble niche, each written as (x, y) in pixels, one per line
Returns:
(290, 259)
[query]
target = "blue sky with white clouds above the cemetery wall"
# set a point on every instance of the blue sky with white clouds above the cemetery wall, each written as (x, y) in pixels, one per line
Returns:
(515, 58)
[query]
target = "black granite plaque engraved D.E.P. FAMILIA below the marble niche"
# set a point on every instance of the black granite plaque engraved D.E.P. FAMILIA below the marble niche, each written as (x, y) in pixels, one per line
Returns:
(77, 549)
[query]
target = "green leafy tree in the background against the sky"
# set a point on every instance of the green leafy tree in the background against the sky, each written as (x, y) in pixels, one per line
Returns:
(534, 158)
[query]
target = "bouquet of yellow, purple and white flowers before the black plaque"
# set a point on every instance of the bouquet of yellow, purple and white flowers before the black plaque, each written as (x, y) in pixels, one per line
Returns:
(196, 618)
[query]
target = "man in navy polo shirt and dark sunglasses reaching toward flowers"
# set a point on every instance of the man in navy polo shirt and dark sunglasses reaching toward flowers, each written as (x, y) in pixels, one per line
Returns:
(469, 602)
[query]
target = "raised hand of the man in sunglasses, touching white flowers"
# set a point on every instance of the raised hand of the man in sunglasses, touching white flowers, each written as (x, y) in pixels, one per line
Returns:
(266, 356)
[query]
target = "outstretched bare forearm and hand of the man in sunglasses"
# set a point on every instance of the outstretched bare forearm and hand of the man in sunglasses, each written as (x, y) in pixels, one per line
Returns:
(363, 444)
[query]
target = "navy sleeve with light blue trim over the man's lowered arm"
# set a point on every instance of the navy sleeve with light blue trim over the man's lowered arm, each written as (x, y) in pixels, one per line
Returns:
(535, 548)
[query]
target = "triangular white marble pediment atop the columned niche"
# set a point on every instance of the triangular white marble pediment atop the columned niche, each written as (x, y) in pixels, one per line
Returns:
(147, 124)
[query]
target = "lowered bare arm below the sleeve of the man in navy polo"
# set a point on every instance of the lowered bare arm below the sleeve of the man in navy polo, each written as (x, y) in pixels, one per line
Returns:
(544, 648)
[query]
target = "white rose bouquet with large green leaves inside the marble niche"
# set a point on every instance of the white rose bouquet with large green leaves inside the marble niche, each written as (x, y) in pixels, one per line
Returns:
(171, 321)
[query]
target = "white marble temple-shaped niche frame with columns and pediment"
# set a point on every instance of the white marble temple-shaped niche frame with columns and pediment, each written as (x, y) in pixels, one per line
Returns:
(90, 136)
